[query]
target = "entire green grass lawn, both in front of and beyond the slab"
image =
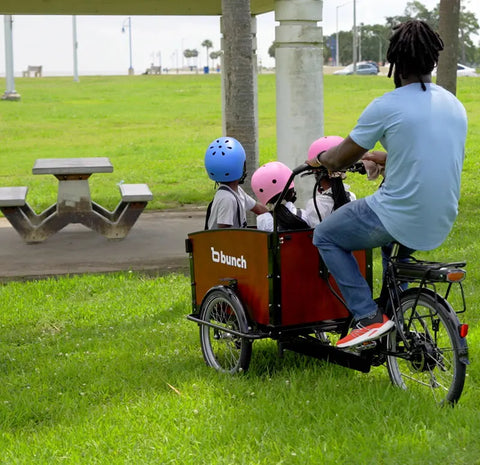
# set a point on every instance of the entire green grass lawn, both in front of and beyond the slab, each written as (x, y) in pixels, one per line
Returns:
(106, 369)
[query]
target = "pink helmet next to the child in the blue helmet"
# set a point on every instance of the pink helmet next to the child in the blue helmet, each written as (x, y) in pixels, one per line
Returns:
(269, 180)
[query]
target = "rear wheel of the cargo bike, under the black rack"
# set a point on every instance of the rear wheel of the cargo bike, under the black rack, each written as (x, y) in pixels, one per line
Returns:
(431, 357)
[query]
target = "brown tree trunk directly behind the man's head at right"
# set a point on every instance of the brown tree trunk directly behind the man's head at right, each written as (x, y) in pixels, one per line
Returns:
(448, 26)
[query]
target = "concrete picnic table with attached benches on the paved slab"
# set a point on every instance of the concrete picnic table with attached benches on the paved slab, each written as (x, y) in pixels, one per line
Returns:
(74, 203)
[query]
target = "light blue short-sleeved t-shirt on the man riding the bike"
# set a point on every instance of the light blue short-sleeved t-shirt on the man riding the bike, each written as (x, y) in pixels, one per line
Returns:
(424, 135)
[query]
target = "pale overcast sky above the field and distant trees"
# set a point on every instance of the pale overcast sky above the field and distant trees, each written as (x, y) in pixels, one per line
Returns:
(104, 49)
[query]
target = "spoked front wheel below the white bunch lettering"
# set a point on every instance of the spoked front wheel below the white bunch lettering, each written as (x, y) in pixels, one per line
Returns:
(222, 350)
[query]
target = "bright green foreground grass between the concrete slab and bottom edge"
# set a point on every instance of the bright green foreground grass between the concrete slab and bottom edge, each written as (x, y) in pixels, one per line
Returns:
(106, 369)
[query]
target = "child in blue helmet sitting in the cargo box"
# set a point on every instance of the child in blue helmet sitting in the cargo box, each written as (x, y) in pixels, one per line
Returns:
(225, 162)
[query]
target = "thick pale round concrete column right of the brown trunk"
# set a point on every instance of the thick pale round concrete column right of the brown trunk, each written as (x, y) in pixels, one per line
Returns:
(299, 83)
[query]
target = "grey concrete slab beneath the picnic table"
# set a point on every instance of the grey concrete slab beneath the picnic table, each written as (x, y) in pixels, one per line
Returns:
(156, 243)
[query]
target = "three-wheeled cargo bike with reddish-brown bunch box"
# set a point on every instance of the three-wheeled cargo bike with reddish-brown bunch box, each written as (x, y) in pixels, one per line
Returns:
(249, 285)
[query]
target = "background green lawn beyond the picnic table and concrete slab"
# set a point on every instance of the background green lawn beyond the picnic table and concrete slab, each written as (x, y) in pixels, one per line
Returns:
(155, 129)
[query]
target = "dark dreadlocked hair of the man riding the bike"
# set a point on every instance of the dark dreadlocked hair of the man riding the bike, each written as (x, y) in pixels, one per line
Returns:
(414, 48)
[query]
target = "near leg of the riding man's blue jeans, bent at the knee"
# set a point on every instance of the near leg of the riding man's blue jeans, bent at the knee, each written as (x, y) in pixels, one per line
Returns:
(354, 226)
